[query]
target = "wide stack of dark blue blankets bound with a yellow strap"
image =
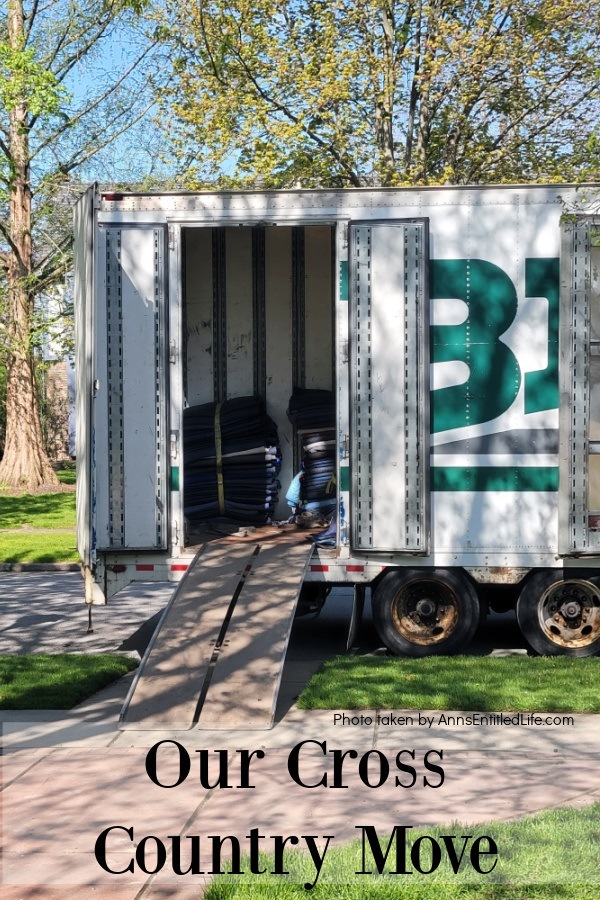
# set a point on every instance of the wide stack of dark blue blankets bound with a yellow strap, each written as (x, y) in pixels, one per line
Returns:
(232, 460)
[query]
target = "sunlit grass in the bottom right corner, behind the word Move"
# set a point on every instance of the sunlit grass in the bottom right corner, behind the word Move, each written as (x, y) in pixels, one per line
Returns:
(552, 854)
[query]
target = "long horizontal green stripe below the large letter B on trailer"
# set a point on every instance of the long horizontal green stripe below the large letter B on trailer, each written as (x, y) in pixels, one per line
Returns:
(494, 478)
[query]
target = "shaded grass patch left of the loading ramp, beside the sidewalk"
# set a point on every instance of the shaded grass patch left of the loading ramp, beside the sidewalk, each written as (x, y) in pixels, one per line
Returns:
(59, 681)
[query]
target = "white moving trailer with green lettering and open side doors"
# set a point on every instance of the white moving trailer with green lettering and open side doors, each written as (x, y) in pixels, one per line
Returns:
(459, 330)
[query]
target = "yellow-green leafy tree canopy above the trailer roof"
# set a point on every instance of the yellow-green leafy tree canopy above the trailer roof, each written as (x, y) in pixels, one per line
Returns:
(382, 92)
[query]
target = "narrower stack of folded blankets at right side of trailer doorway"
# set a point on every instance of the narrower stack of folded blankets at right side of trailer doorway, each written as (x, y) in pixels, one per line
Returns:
(313, 411)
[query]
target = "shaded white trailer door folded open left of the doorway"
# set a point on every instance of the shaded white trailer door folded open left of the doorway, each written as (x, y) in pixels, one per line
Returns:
(130, 392)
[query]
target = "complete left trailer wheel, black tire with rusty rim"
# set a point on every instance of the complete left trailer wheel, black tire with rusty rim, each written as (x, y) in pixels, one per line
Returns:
(424, 612)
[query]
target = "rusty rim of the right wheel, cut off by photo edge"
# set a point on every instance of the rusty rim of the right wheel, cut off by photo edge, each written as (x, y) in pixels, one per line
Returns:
(569, 613)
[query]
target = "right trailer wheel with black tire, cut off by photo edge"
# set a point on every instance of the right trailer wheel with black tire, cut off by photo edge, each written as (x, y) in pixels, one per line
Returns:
(560, 616)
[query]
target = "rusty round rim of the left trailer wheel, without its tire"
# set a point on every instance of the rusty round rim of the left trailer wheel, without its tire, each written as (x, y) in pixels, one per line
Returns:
(425, 612)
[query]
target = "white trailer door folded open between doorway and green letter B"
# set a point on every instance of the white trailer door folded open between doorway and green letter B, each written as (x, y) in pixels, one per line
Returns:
(389, 321)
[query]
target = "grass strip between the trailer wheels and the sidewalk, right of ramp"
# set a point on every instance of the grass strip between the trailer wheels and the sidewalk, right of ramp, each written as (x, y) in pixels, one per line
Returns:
(498, 684)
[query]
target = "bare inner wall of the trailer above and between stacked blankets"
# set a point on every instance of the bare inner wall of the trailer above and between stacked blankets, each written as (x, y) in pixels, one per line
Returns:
(259, 320)
